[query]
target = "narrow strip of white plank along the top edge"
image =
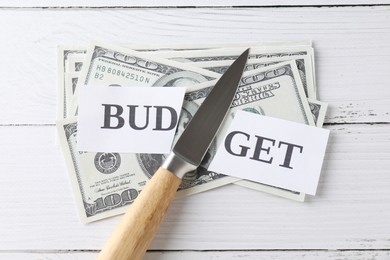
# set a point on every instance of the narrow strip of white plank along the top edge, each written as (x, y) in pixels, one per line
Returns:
(177, 3)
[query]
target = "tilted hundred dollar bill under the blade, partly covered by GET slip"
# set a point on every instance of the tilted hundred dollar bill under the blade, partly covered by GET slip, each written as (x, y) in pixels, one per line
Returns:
(261, 91)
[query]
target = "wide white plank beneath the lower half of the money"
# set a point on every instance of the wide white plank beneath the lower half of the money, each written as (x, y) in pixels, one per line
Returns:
(351, 210)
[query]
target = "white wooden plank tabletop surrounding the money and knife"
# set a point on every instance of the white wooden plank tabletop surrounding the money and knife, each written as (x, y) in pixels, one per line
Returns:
(348, 219)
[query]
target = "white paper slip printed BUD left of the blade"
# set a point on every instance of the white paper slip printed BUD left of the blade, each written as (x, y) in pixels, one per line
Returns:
(128, 119)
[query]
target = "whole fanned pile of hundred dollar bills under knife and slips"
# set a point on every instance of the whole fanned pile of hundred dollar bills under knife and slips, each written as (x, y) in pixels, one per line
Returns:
(279, 81)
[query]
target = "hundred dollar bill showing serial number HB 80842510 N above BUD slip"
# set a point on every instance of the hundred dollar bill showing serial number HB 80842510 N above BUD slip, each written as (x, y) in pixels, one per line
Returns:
(108, 65)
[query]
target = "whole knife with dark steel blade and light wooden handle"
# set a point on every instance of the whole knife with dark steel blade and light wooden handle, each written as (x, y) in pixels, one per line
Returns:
(133, 235)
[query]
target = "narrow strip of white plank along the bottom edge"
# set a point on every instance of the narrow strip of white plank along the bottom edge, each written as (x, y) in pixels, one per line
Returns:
(229, 255)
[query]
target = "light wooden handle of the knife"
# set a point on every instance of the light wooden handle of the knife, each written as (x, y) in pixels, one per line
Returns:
(134, 233)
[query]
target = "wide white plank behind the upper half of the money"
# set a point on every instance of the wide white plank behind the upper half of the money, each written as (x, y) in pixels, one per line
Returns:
(352, 53)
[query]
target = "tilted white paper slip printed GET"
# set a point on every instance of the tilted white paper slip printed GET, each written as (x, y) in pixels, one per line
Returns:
(272, 151)
